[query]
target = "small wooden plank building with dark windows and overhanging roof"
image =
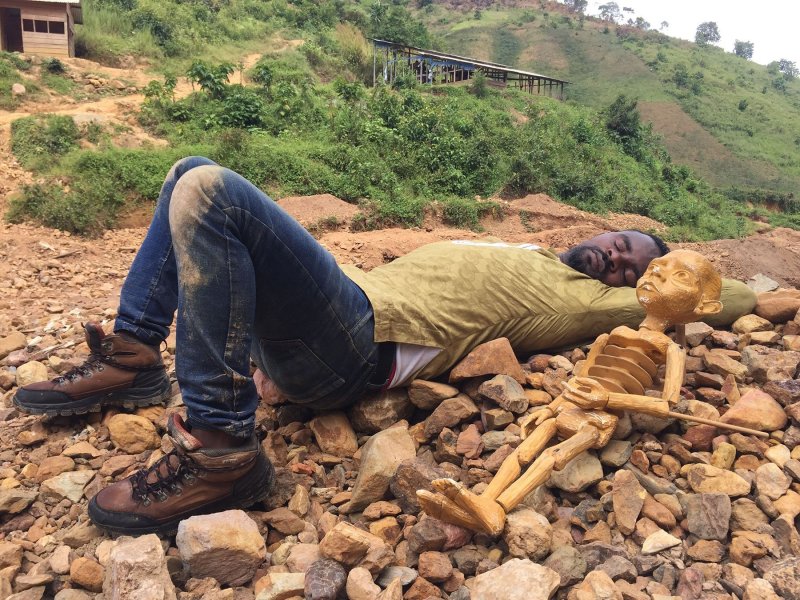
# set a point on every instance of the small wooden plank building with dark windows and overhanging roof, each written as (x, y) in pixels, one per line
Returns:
(39, 26)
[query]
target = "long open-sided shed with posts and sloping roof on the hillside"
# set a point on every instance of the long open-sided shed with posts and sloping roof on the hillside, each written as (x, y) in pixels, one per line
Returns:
(432, 67)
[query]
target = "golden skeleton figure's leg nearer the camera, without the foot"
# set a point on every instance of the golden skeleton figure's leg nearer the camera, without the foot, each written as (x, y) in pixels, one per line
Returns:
(552, 459)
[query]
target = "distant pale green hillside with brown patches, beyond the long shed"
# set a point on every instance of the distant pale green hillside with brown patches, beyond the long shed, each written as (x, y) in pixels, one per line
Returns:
(734, 121)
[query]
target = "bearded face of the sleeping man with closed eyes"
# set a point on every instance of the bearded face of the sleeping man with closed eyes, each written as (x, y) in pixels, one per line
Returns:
(616, 258)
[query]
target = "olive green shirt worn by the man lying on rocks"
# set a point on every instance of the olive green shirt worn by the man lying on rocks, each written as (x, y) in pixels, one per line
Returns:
(457, 295)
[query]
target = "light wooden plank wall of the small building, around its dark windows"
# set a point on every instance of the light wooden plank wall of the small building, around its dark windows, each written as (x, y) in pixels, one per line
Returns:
(38, 42)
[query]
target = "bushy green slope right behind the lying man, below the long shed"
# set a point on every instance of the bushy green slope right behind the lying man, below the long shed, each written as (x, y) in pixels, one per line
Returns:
(306, 124)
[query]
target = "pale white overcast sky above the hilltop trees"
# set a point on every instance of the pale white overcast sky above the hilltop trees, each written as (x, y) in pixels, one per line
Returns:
(772, 25)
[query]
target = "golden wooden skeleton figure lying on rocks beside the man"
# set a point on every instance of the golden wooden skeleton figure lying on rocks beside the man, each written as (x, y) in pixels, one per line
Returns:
(678, 288)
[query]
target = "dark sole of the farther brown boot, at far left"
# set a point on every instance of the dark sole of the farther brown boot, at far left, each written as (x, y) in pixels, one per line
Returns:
(130, 398)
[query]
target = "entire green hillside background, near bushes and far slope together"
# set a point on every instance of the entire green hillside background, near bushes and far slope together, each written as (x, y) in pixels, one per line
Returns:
(305, 123)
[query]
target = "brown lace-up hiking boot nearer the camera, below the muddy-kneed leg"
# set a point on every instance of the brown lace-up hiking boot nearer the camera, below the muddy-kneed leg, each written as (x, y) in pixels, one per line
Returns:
(190, 480)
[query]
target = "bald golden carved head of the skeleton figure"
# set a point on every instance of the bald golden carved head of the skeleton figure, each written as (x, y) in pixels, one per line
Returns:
(680, 287)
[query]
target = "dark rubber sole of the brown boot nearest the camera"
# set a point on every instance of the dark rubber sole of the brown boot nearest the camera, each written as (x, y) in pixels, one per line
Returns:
(244, 494)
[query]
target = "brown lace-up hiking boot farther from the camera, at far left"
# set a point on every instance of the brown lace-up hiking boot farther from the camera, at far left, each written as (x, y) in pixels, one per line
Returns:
(120, 371)
